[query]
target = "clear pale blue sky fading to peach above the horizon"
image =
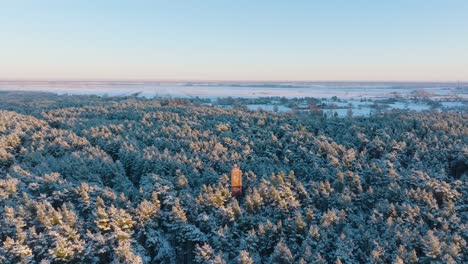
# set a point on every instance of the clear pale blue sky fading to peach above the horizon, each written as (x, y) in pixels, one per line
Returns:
(421, 40)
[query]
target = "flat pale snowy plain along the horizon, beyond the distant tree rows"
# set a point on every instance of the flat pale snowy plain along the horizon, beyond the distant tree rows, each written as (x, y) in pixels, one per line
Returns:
(239, 90)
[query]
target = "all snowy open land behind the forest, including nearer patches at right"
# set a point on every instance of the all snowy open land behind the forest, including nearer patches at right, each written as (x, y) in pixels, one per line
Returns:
(361, 98)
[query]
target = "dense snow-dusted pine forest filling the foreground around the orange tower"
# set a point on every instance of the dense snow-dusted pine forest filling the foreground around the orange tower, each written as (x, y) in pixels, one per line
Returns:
(134, 180)
